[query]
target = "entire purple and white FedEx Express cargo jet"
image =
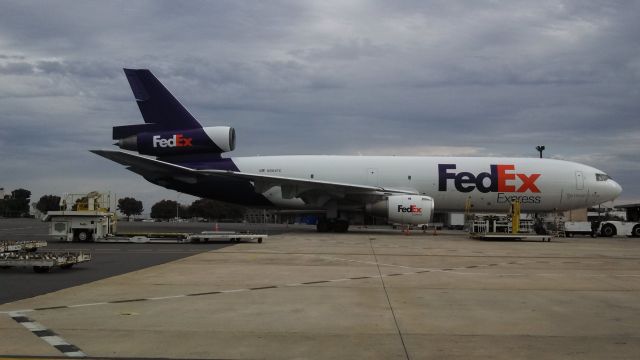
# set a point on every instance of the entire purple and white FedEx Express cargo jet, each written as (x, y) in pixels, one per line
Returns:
(172, 149)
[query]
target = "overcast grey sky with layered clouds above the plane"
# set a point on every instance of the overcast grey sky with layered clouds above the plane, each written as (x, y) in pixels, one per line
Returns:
(328, 77)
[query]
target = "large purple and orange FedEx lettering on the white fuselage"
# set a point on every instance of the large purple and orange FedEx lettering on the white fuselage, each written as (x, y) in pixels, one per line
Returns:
(501, 178)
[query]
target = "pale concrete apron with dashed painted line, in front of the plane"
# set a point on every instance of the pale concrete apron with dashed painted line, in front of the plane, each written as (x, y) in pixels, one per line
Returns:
(367, 294)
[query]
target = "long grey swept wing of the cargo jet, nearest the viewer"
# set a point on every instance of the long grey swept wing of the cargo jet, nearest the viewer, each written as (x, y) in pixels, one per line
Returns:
(310, 190)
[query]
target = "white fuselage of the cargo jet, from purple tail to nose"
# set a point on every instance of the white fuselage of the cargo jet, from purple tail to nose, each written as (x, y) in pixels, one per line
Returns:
(490, 183)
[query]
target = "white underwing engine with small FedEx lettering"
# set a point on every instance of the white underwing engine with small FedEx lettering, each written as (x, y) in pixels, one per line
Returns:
(404, 209)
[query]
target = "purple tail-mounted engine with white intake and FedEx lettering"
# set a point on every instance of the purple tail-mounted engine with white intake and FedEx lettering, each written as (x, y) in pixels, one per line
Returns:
(213, 139)
